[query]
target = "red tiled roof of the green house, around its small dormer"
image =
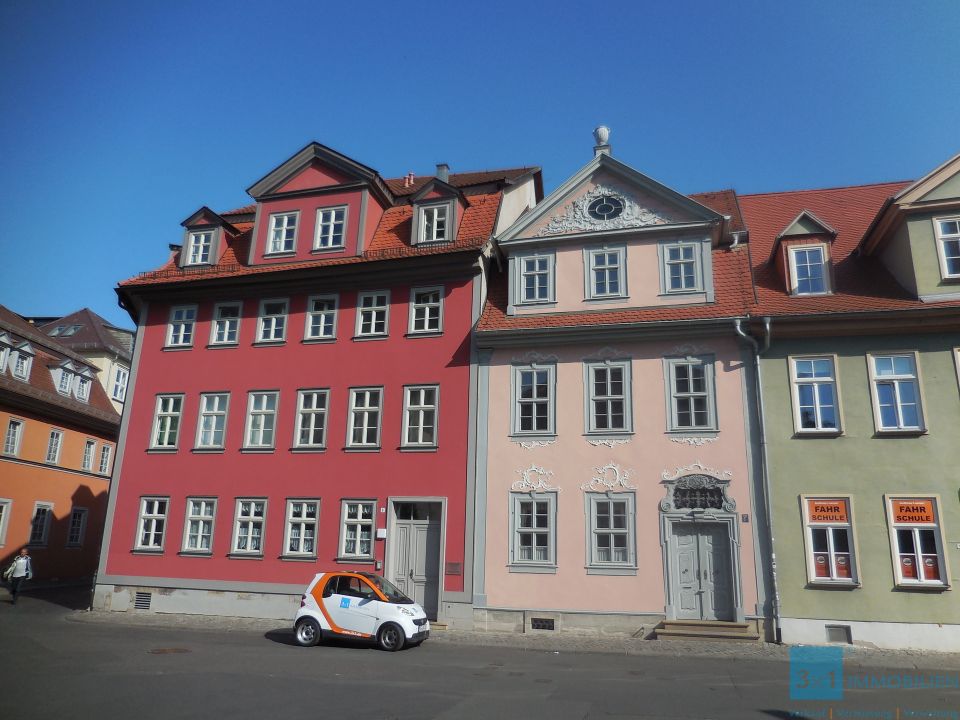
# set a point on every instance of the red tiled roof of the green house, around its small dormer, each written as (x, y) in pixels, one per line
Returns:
(860, 284)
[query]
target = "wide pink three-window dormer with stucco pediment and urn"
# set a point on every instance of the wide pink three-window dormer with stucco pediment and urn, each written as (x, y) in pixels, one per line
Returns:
(609, 238)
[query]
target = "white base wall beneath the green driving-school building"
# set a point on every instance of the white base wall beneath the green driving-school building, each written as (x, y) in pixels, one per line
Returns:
(888, 635)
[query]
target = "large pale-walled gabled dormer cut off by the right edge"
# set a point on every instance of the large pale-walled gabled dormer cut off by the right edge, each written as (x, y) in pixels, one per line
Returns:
(917, 235)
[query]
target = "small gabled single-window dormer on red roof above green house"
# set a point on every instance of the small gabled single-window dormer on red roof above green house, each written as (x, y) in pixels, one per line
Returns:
(801, 254)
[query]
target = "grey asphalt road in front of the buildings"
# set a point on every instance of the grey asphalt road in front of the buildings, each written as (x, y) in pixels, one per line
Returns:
(55, 667)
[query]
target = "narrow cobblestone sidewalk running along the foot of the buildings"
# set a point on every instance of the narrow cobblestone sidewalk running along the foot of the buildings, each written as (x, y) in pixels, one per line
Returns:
(559, 643)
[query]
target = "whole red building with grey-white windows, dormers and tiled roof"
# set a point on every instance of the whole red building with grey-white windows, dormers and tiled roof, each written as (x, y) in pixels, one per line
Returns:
(301, 392)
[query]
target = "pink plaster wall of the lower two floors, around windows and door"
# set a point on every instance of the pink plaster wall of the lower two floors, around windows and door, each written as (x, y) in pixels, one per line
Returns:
(574, 461)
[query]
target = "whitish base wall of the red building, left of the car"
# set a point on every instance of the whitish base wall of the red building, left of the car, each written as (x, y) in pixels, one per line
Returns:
(122, 598)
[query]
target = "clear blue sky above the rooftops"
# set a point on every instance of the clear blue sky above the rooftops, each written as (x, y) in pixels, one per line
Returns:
(119, 119)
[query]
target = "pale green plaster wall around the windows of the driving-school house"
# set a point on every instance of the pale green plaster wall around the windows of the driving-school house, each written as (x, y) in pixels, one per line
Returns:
(865, 466)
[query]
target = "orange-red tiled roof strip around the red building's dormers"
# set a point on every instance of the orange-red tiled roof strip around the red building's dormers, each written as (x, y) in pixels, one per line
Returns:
(390, 240)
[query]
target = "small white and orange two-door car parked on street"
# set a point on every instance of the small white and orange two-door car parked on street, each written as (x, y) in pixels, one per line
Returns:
(362, 606)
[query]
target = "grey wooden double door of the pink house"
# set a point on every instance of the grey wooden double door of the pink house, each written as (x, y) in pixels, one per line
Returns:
(702, 581)
